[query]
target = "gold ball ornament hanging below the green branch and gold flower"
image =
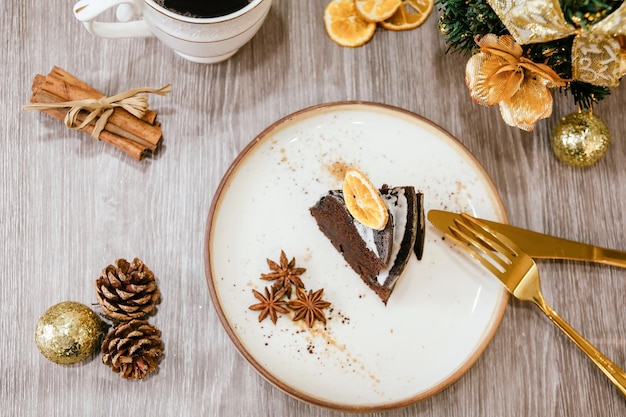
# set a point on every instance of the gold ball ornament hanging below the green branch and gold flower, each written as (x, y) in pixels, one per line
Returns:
(580, 139)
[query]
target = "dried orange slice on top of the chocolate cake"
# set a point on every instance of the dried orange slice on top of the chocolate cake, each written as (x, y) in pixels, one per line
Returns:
(363, 200)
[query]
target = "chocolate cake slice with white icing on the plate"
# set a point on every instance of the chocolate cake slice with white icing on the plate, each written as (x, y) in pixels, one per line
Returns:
(378, 257)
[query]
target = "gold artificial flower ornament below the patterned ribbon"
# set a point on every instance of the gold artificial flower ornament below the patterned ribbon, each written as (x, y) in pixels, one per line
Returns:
(500, 74)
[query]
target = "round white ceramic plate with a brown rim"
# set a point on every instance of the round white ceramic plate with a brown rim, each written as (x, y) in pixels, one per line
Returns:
(369, 357)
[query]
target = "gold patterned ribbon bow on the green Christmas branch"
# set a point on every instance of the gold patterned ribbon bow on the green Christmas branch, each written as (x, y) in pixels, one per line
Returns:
(597, 57)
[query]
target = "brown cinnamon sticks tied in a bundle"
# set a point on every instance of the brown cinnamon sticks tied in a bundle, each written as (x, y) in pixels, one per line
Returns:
(133, 135)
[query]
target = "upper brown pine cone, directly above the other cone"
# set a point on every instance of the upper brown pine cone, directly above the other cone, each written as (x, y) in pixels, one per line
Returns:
(127, 291)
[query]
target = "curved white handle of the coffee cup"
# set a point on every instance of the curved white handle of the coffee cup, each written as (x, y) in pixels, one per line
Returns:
(87, 11)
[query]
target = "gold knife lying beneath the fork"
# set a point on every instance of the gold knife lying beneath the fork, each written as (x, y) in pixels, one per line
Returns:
(538, 245)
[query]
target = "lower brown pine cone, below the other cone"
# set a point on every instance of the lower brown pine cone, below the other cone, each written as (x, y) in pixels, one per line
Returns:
(133, 349)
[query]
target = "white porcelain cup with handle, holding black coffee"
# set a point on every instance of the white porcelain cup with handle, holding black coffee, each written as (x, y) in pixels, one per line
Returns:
(205, 40)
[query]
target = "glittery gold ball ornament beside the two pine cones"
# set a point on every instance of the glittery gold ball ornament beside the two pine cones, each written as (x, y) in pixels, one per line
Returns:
(69, 332)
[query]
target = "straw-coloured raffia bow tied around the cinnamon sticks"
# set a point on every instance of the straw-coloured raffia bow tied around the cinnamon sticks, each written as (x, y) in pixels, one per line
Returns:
(100, 109)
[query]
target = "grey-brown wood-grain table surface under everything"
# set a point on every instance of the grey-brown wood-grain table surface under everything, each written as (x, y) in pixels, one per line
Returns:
(71, 205)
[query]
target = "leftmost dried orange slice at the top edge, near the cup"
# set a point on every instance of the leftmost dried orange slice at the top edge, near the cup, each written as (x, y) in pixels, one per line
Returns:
(344, 25)
